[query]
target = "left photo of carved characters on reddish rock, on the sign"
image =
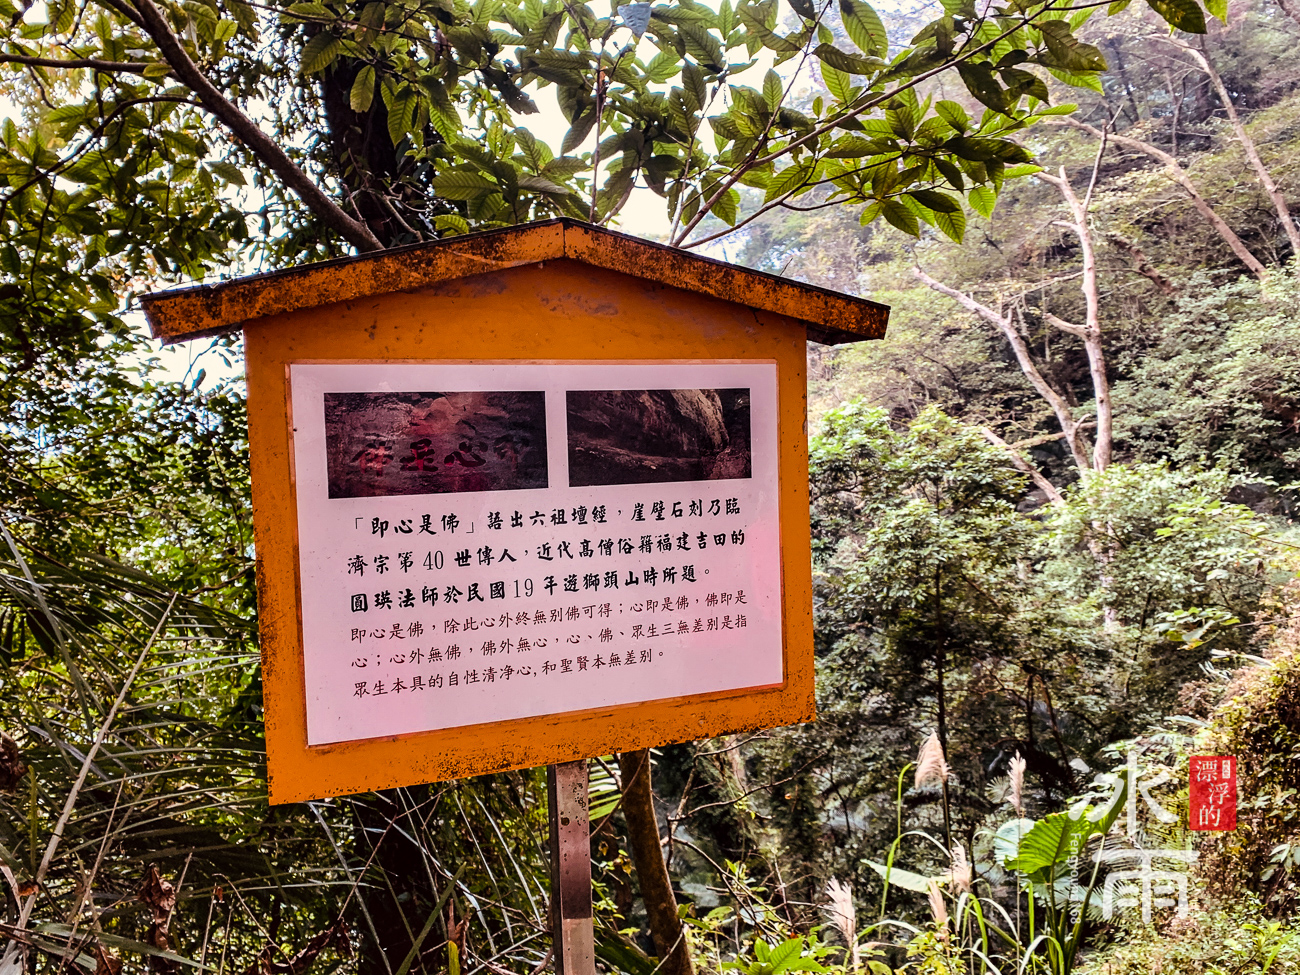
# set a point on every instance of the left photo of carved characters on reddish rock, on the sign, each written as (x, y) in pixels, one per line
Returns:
(389, 444)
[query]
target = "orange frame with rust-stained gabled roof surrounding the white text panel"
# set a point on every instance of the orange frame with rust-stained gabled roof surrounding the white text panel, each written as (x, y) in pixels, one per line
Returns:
(549, 302)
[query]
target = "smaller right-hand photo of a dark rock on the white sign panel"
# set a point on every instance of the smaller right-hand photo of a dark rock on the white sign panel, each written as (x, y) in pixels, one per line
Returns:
(658, 435)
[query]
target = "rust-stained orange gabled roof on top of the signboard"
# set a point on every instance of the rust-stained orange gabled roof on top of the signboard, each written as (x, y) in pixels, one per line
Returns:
(210, 310)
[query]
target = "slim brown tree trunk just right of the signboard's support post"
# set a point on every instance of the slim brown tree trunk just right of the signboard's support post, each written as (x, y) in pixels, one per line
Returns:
(652, 873)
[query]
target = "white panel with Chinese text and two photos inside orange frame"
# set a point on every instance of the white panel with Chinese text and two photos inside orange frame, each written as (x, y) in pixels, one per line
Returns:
(484, 543)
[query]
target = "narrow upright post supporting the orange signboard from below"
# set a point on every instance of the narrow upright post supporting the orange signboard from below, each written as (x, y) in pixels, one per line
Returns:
(571, 870)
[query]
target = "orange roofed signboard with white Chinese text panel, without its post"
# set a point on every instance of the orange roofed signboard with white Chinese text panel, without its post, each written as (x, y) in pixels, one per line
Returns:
(523, 499)
